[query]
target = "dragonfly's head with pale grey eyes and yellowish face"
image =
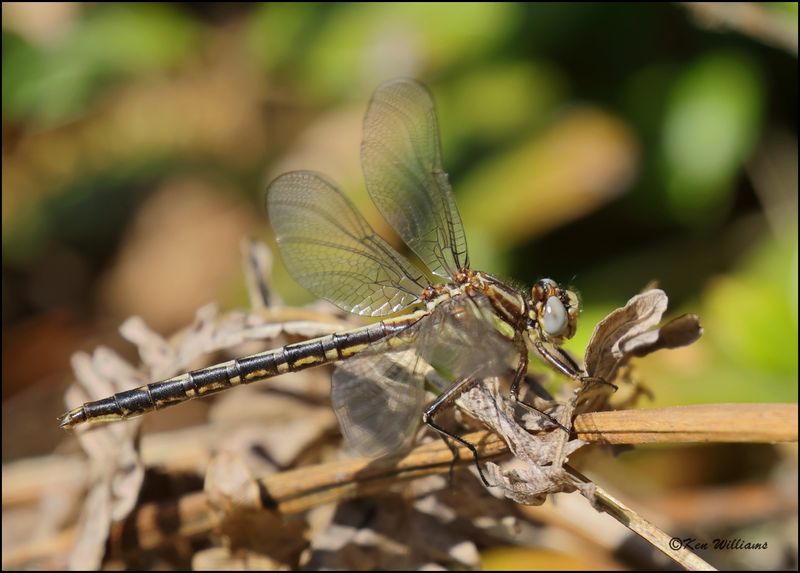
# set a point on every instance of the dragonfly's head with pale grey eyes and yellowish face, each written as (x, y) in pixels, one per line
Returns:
(553, 311)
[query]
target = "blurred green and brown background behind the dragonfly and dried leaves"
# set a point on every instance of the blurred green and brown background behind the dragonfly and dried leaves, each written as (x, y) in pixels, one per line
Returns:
(605, 146)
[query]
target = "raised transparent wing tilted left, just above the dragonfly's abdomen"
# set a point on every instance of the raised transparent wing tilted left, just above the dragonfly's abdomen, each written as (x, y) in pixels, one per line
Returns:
(332, 251)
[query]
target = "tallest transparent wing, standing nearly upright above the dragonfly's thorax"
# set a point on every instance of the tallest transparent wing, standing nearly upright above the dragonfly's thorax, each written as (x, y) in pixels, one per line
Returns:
(402, 162)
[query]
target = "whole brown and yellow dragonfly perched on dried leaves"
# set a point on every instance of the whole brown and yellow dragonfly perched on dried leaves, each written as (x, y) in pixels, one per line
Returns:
(440, 325)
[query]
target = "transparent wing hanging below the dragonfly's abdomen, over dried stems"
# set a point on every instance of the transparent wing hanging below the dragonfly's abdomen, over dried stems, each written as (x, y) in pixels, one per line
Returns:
(378, 400)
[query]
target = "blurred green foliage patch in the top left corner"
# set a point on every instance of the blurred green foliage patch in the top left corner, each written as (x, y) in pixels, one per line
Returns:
(49, 84)
